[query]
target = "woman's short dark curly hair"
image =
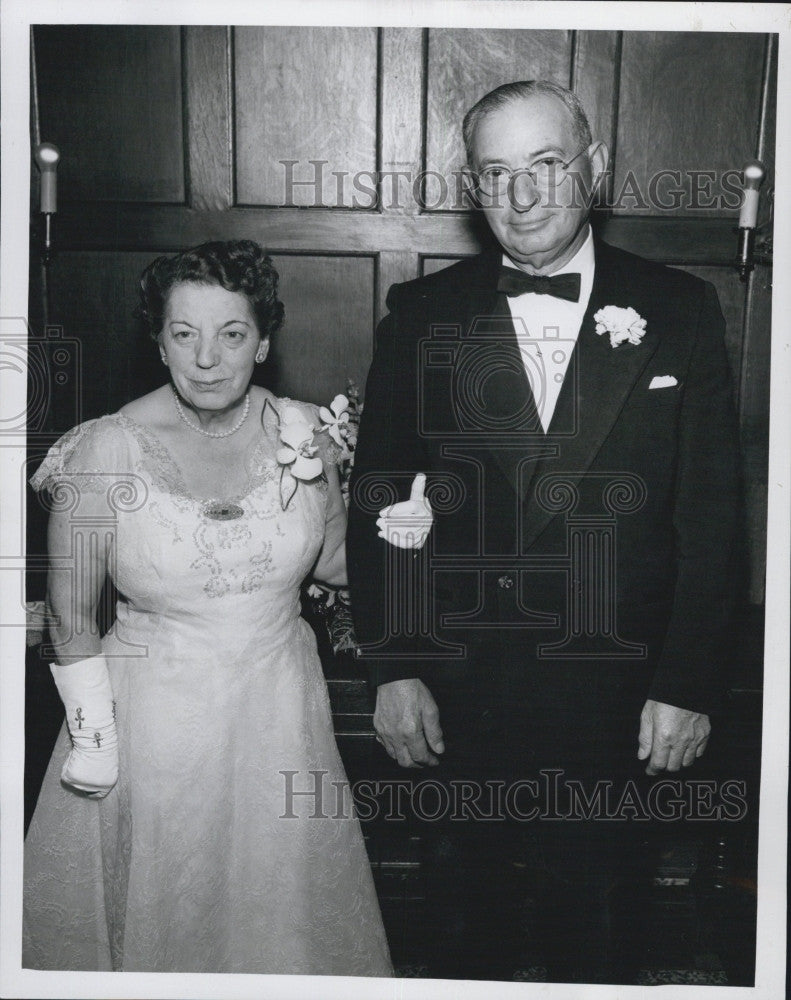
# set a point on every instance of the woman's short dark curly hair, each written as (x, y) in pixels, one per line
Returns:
(236, 265)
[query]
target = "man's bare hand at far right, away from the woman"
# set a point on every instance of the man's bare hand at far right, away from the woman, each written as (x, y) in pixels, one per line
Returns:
(671, 737)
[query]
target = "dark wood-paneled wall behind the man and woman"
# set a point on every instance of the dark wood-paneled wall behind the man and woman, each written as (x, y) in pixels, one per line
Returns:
(170, 136)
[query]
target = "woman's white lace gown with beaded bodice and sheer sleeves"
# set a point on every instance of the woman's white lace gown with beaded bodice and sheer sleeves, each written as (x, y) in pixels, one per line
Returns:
(199, 860)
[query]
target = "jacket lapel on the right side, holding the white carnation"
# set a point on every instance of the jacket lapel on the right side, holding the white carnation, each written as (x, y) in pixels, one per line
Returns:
(599, 379)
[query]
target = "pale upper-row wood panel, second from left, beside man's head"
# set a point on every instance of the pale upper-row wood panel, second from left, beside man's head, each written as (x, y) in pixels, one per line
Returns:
(304, 94)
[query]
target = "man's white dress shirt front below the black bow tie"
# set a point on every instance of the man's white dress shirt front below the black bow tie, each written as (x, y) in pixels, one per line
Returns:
(547, 329)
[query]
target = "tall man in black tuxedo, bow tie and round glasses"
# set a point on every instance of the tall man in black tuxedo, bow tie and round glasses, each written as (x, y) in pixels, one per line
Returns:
(563, 625)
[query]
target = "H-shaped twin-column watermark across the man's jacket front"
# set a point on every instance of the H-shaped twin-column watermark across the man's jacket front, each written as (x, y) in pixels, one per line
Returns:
(499, 584)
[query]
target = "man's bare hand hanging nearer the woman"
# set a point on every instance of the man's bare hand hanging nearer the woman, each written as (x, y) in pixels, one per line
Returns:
(406, 720)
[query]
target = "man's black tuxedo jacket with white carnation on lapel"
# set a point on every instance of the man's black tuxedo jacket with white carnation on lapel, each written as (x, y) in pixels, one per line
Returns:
(606, 544)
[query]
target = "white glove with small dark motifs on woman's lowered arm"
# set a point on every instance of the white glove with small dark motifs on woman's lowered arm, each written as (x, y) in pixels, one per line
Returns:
(84, 688)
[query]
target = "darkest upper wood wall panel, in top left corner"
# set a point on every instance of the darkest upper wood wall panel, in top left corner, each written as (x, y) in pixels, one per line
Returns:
(110, 98)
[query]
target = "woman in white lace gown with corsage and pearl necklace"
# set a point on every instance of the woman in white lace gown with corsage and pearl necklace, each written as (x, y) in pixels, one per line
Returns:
(174, 837)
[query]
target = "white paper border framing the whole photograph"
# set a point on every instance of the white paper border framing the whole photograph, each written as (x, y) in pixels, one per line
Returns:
(16, 18)
